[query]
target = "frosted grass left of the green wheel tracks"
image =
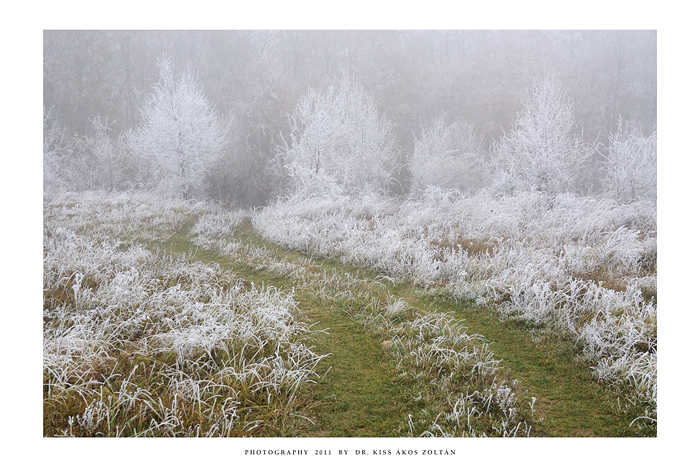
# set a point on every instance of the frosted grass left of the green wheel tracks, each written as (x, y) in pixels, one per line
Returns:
(138, 343)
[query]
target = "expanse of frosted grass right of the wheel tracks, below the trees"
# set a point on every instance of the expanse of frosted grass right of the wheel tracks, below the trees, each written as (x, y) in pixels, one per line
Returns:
(585, 266)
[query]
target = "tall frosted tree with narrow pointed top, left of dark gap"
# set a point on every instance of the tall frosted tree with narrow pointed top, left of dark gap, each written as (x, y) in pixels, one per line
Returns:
(181, 134)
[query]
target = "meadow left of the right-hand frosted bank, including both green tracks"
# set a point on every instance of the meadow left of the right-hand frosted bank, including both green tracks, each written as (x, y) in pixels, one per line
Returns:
(181, 320)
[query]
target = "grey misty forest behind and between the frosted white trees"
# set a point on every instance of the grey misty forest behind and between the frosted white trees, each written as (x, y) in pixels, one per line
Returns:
(98, 86)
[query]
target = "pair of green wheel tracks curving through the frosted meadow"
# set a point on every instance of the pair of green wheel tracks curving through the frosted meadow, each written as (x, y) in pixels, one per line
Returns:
(360, 394)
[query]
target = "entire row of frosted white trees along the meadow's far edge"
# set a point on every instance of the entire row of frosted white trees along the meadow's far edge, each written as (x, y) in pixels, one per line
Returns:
(339, 140)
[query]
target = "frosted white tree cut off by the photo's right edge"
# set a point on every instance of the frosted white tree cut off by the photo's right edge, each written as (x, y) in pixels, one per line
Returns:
(630, 165)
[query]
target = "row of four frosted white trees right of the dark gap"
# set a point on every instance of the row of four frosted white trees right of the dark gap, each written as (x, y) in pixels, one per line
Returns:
(338, 136)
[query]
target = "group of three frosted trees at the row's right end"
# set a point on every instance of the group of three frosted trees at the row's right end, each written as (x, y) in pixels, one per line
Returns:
(541, 152)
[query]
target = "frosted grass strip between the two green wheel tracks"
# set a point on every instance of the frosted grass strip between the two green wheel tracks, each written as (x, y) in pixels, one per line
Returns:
(430, 348)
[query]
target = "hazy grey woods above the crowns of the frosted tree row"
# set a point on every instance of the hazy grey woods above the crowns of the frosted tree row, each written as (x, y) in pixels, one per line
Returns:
(475, 76)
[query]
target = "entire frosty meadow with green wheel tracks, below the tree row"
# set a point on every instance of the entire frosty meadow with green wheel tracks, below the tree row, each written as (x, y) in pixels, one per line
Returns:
(348, 316)
